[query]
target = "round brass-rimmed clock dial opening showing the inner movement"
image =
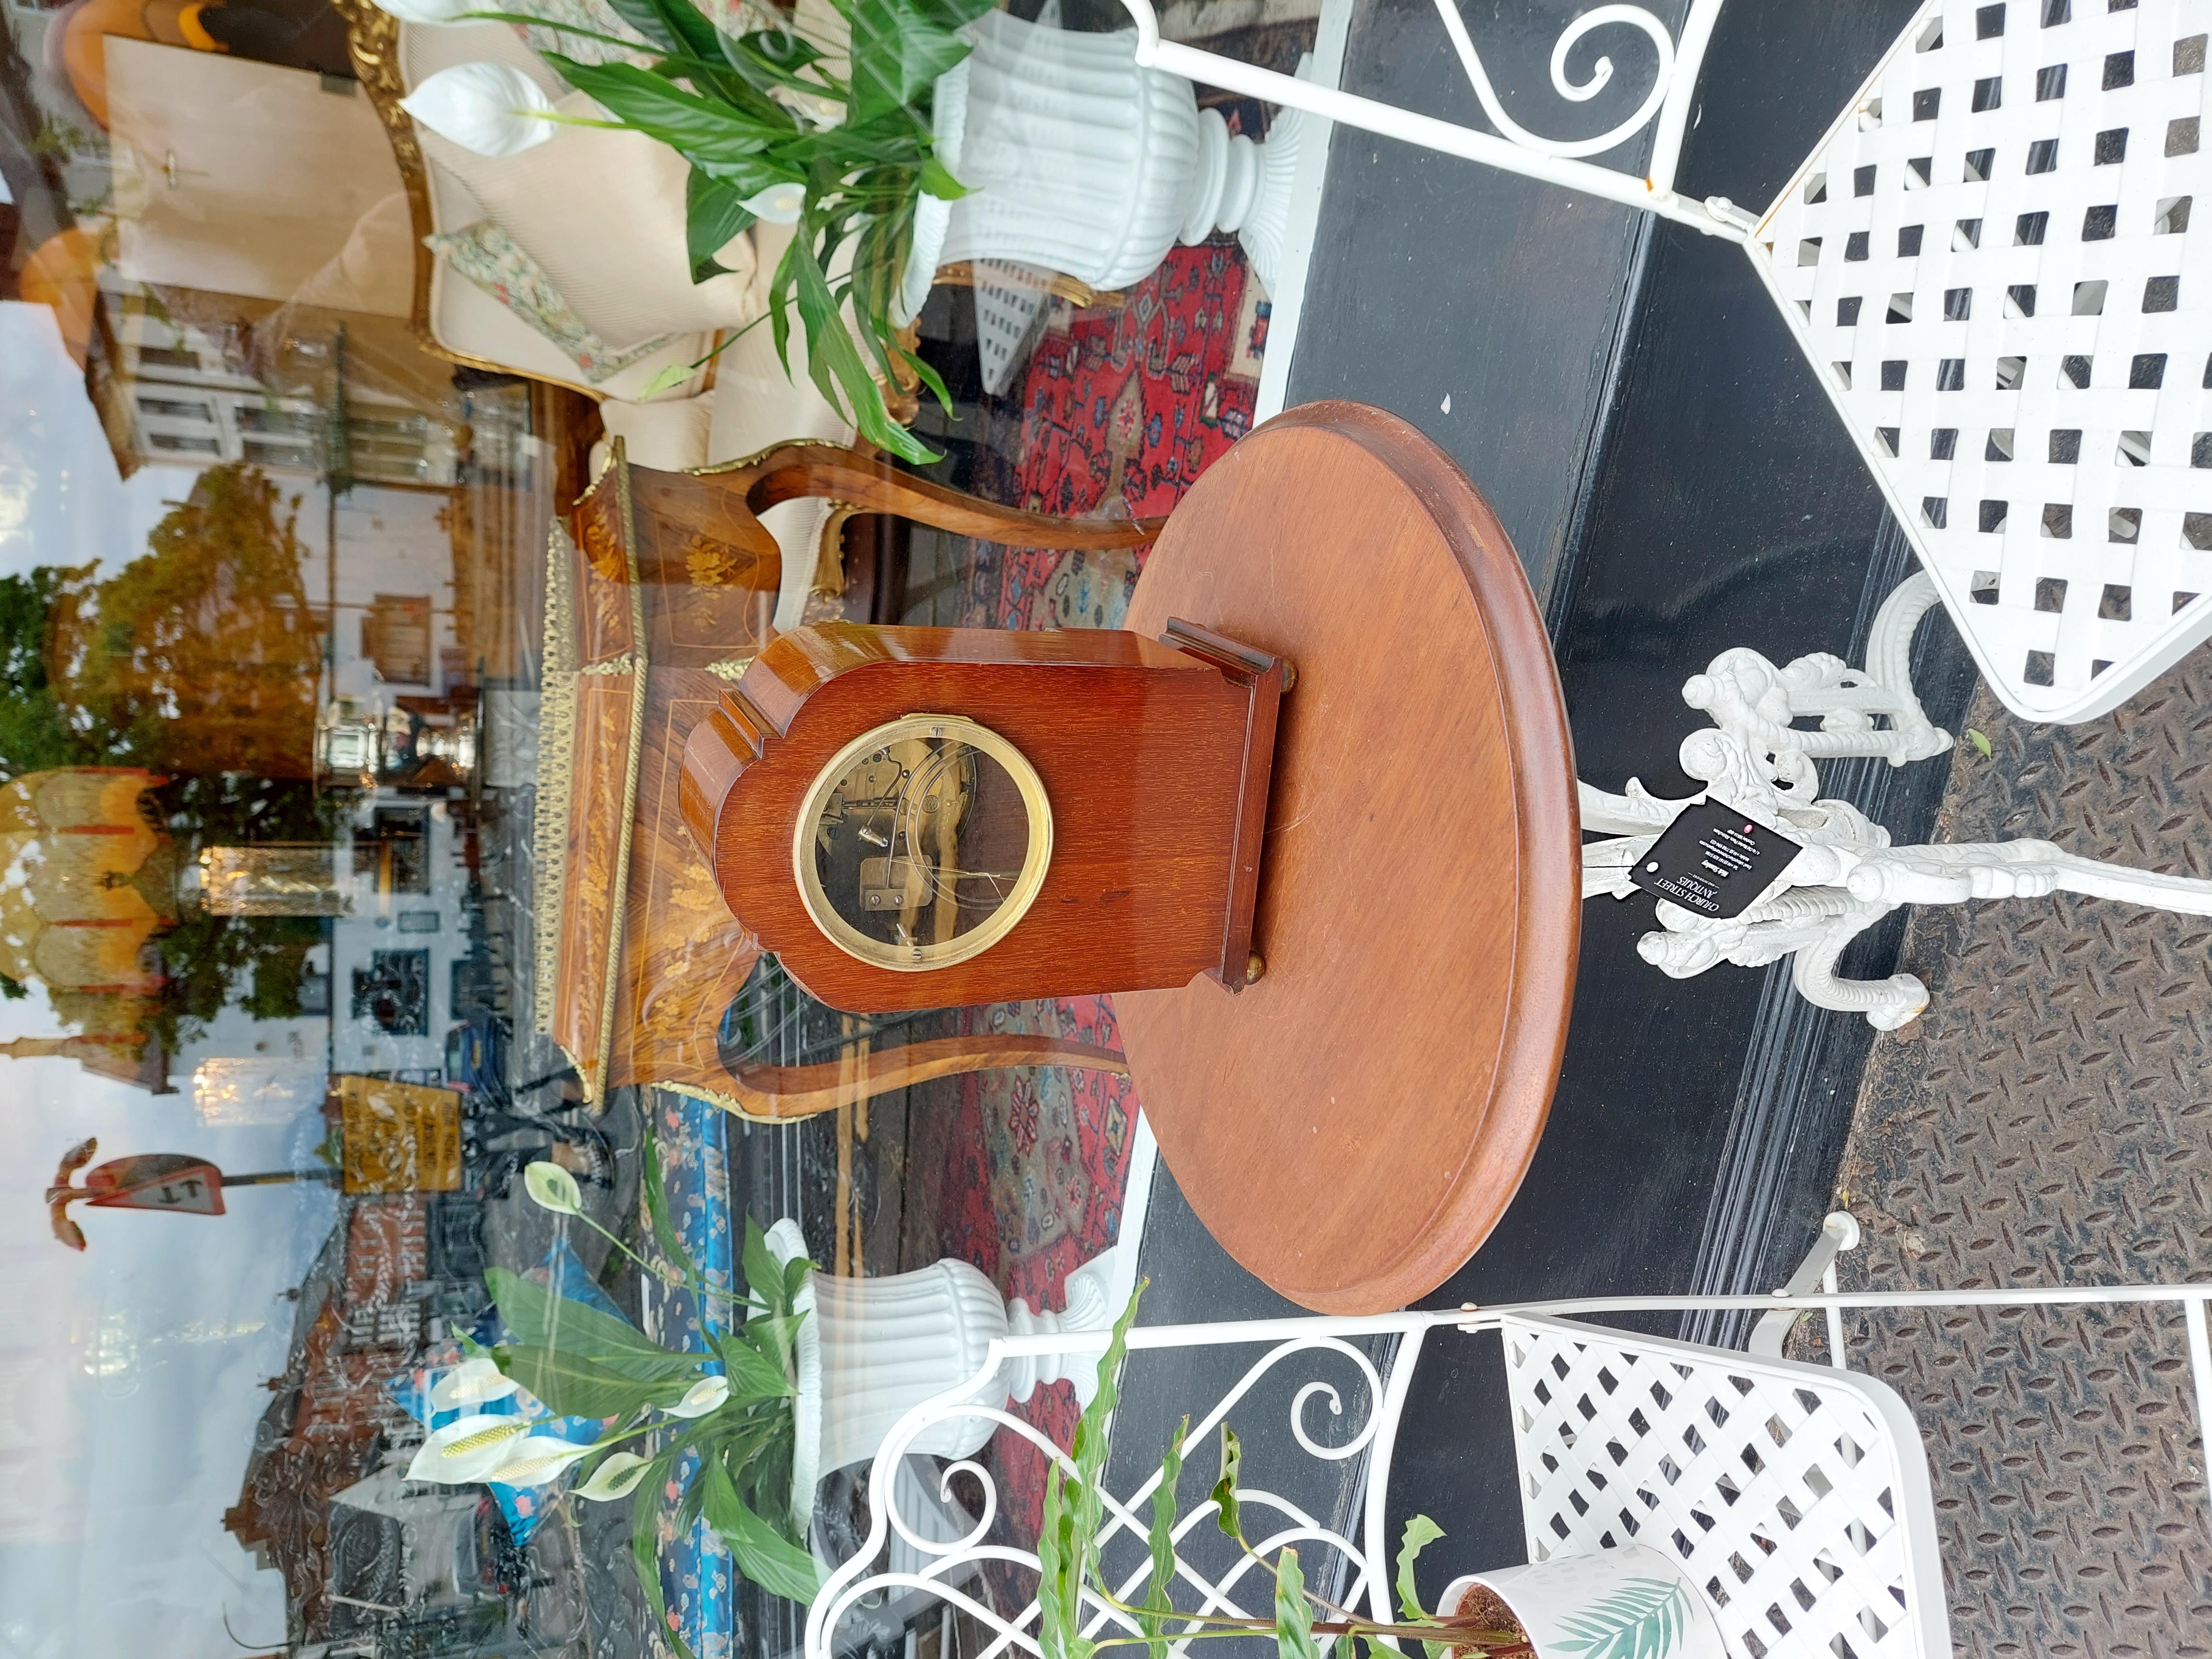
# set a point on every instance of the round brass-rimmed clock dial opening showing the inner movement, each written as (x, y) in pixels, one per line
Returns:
(924, 842)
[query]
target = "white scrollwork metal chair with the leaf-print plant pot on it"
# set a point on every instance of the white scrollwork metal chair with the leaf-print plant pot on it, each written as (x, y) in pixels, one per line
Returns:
(1795, 1494)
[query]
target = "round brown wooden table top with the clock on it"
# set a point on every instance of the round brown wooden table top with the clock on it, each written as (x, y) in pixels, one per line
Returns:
(1355, 1125)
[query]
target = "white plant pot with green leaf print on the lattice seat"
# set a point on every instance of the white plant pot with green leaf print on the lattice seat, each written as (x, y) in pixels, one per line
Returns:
(1629, 1603)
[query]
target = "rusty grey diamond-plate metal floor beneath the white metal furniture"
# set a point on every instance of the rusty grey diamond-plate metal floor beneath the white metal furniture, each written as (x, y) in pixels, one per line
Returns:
(2049, 1120)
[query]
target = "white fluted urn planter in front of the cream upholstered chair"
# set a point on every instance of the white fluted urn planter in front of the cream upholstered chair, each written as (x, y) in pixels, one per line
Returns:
(1083, 163)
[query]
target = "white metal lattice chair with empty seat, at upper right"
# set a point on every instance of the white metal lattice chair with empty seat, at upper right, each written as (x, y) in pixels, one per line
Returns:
(1987, 262)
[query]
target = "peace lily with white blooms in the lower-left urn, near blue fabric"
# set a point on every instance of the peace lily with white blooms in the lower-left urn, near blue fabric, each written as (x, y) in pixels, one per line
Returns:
(724, 1410)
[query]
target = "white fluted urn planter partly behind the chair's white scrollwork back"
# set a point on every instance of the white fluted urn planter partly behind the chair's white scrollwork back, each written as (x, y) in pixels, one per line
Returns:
(875, 1348)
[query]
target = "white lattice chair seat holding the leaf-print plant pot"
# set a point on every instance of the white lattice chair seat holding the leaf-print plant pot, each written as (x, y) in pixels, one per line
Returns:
(1795, 1494)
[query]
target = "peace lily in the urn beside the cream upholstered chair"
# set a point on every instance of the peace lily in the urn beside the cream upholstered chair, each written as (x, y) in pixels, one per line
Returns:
(771, 132)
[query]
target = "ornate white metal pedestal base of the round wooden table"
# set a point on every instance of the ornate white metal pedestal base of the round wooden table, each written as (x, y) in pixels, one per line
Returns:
(1848, 875)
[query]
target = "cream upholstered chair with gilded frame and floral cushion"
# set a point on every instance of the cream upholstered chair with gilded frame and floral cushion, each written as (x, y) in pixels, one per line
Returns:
(735, 408)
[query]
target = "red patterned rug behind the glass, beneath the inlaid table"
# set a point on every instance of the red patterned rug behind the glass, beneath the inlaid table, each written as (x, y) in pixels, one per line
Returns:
(1120, 413)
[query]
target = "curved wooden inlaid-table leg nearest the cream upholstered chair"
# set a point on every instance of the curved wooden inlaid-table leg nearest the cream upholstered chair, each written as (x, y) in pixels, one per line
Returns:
(875, 486)
